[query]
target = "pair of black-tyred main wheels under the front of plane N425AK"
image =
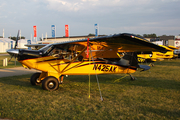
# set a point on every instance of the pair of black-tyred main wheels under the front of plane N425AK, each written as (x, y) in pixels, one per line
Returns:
(48, 83)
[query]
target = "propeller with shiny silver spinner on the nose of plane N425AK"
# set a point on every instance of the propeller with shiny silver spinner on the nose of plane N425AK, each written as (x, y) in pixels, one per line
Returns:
(13, 52)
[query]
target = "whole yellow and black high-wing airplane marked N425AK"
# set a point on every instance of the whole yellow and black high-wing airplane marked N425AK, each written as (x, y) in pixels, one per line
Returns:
(83, 57)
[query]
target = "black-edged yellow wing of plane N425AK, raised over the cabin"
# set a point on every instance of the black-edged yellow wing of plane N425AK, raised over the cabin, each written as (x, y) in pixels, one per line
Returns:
(121, 42)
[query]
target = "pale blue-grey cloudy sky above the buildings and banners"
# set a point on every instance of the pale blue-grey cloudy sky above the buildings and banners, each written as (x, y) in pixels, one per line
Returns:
(161, 17)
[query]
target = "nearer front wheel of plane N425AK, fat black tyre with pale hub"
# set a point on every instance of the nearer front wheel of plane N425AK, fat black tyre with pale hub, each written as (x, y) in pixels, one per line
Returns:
(50, 83)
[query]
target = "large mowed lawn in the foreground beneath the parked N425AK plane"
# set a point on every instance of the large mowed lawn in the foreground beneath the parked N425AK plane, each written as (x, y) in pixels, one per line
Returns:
(154, 95)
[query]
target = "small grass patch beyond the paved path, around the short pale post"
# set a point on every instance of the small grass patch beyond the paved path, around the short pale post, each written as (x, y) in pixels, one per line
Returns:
(10, 64)
